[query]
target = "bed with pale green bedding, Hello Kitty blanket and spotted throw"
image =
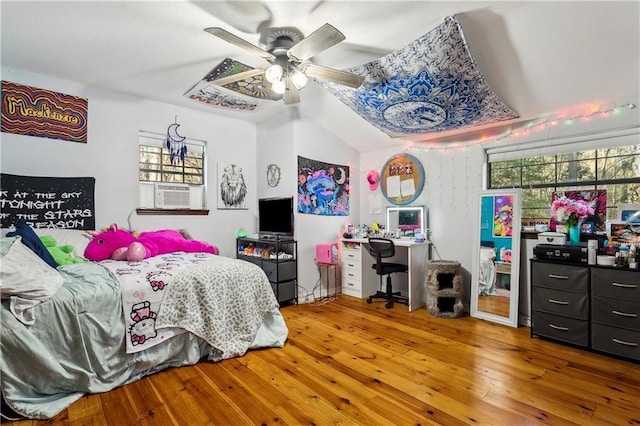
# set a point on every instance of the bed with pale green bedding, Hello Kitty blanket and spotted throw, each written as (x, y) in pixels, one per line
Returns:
(100, 325)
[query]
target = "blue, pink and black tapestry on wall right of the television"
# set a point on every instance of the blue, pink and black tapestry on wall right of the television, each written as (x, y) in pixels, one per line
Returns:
(323, 188)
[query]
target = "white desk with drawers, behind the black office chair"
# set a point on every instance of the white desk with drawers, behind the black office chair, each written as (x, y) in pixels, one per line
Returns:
(360, 280)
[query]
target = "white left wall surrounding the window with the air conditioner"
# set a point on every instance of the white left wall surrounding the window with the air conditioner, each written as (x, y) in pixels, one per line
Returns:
(111, 156)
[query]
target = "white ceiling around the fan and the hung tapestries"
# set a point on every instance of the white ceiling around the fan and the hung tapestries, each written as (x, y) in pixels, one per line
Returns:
(540, 58)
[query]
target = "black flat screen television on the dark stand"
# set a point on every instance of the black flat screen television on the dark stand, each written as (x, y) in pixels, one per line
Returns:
(275, 217)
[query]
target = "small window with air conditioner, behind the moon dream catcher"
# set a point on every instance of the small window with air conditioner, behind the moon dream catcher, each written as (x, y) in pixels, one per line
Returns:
(155, 165)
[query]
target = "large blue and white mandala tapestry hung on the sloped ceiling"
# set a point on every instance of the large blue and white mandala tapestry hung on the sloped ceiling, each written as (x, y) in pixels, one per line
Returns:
(431, 85)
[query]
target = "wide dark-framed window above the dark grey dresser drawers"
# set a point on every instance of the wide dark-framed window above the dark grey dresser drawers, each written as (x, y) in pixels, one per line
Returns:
(615, 169)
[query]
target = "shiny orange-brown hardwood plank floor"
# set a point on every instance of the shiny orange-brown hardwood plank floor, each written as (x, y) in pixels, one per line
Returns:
(350, 363)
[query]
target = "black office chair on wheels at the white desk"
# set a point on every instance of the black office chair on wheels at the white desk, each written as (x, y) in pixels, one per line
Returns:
(382, 248)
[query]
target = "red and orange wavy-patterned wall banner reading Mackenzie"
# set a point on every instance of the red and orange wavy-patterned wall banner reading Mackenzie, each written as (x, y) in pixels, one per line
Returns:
(31, 111)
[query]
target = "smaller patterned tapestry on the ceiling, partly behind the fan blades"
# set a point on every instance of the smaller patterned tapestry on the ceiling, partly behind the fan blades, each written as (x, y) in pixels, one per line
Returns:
(250, 94)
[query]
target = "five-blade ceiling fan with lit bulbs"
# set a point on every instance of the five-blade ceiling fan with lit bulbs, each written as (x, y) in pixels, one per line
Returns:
(289, 52)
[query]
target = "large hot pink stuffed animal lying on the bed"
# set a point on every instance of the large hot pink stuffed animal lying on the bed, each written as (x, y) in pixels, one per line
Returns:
(117, 244)
